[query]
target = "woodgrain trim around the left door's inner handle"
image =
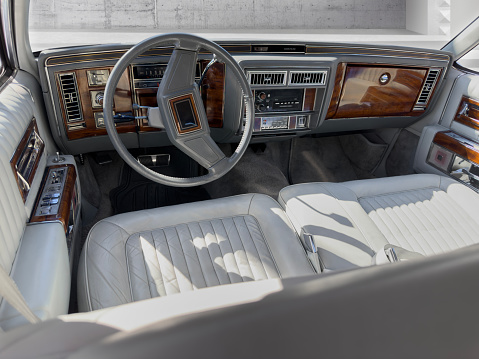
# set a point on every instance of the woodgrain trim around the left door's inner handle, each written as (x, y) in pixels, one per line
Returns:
(23, 150)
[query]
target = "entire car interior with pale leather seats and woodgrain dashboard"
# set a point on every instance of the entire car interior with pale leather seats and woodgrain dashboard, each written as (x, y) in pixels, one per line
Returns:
(182, 197)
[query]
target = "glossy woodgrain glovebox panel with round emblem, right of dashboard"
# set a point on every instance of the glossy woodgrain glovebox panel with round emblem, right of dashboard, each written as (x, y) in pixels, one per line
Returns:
(362, 95)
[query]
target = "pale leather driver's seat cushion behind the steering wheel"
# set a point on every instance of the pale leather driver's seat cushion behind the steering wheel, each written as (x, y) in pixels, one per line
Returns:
(163, 251)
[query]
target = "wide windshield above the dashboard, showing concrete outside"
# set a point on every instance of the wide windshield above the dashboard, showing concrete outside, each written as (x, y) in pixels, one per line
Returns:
(423, 24)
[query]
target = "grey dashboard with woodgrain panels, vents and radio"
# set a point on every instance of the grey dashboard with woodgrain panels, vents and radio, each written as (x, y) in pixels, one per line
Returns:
(298, 89)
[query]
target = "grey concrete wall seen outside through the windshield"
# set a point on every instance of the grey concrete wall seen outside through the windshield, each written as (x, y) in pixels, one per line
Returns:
(218, 14)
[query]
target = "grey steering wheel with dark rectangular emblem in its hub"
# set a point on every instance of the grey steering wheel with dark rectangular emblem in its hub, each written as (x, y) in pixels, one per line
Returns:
(180, 110)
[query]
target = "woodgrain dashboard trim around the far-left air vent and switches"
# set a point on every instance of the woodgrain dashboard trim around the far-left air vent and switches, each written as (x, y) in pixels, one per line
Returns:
(122, 102)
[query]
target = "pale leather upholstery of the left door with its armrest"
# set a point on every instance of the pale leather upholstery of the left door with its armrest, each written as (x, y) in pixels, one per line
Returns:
(35, 256)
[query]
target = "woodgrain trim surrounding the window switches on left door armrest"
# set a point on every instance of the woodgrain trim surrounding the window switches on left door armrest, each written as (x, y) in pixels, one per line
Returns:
(66, 199)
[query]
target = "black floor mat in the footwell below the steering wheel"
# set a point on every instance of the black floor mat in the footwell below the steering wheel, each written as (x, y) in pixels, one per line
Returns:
(136, 192)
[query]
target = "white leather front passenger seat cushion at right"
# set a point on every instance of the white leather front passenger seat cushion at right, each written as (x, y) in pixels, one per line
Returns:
(352, 221)
